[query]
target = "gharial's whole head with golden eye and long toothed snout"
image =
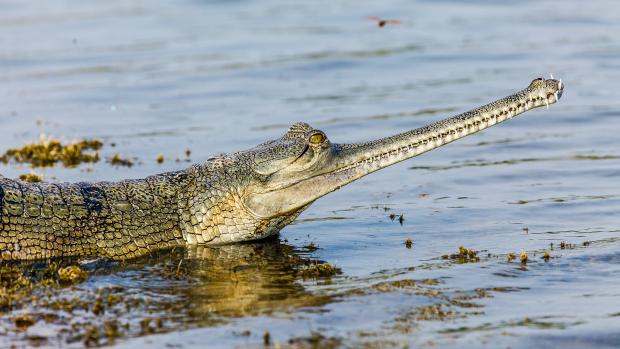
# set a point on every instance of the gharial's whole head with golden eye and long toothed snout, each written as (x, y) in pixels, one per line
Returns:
(284, 176)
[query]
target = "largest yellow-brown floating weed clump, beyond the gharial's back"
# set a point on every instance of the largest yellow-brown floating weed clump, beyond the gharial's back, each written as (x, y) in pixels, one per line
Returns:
(49, 151)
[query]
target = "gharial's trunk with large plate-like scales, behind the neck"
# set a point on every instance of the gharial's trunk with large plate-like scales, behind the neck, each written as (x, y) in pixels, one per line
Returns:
(43, 220)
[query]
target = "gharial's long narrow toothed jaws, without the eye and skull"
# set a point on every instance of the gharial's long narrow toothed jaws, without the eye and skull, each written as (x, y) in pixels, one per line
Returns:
(345, 163)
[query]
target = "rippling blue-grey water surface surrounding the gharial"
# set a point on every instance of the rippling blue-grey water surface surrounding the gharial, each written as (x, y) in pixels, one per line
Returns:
(218, 76)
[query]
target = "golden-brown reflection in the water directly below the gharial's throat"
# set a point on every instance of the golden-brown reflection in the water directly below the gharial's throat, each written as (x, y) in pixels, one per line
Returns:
(248, 279)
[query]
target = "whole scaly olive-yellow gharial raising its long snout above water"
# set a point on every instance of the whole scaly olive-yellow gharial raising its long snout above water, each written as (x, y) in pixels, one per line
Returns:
(240, 196)
